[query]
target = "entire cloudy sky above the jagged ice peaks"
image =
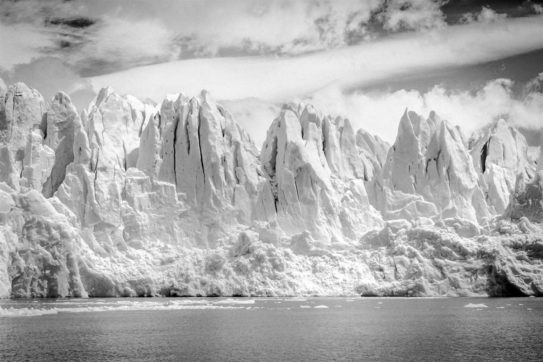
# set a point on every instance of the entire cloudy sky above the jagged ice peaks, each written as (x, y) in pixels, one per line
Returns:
(368, 60)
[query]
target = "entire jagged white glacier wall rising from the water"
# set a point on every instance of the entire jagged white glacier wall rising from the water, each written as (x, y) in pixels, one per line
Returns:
(129, 199)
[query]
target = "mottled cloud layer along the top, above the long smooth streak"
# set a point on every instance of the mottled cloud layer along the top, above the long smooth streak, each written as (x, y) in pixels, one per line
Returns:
(102, 36)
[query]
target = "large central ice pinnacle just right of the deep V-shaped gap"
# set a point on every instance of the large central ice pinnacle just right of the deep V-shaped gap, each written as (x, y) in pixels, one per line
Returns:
(316, 174)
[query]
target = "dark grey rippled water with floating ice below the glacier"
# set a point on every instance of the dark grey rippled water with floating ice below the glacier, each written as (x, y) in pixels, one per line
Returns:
(314, 329)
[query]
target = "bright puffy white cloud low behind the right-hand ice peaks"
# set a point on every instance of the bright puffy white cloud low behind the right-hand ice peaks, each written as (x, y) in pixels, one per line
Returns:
(380, 112)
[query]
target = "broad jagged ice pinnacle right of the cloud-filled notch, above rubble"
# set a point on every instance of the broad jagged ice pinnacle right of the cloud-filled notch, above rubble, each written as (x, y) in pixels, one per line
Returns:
(430, 165)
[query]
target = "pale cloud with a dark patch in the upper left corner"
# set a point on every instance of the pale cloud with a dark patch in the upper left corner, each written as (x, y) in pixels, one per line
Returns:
(30, 29)
